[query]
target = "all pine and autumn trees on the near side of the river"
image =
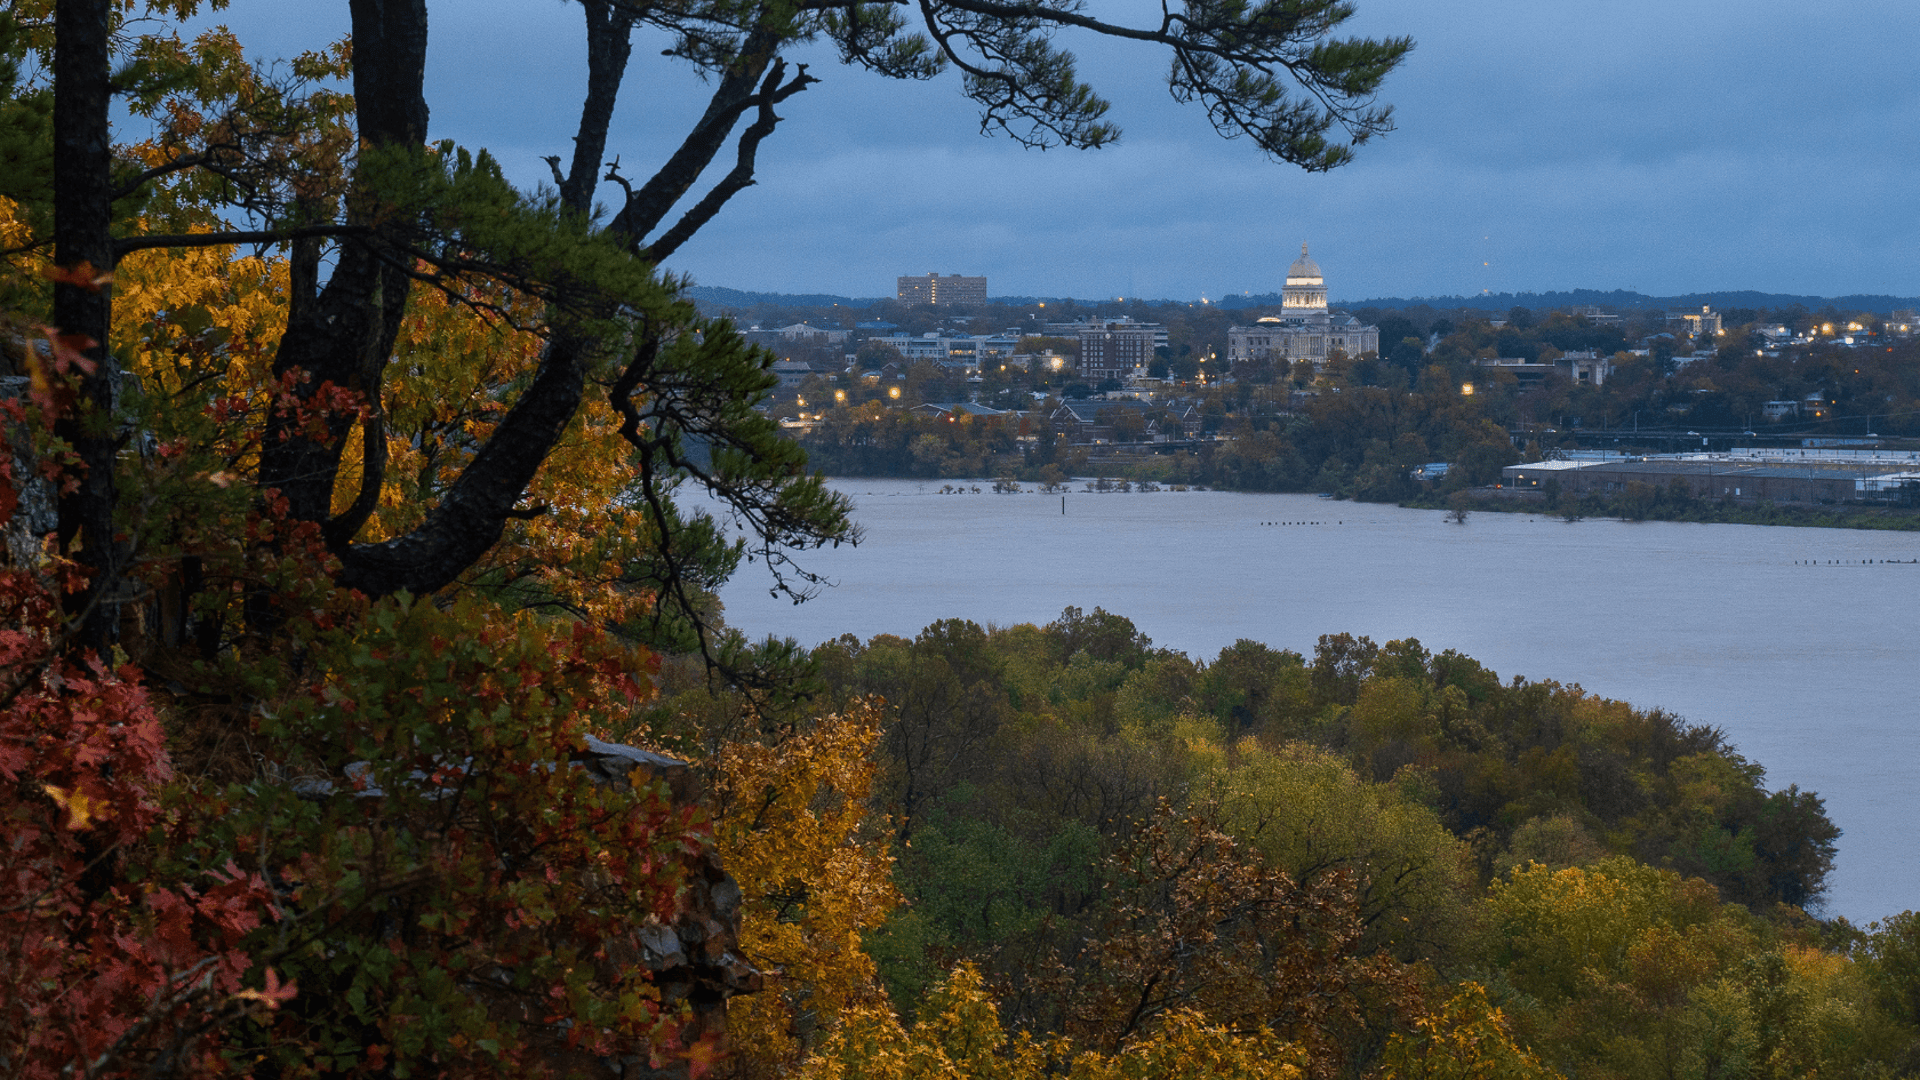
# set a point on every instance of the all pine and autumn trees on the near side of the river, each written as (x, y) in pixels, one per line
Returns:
(368, 535)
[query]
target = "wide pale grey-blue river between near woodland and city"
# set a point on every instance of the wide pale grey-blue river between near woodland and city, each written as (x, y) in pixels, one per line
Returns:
(1798, 643)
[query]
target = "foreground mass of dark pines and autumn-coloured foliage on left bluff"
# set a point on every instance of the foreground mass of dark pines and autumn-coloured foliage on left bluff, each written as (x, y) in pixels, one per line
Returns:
(283, 368)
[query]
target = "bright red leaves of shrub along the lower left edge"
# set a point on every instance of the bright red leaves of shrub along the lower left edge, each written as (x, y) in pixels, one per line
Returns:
(101, 970)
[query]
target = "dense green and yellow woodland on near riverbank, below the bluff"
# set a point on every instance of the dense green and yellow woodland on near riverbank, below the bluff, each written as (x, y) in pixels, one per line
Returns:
(1093, 835)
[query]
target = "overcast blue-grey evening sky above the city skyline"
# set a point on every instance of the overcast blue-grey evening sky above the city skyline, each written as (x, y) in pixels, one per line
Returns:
(1650, 145)
